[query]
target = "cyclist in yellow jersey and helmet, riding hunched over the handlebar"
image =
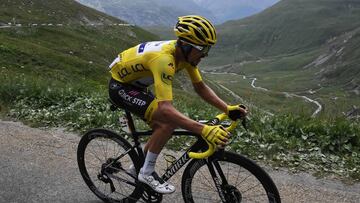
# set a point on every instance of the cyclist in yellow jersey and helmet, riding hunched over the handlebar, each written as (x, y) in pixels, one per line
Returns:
(156, 63)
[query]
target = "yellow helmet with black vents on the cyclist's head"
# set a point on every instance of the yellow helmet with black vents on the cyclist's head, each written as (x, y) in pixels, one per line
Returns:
(196, 30)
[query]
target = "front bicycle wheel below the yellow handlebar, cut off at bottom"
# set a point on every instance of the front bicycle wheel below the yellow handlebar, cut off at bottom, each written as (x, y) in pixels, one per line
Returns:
(197, 174)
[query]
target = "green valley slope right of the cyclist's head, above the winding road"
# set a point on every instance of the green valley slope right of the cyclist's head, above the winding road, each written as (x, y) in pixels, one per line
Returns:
(302, 47)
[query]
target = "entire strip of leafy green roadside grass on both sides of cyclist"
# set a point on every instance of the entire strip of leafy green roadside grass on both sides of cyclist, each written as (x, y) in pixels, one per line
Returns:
(294, 141)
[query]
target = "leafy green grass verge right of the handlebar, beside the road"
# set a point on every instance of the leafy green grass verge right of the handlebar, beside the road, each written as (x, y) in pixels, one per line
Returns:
(304, 144)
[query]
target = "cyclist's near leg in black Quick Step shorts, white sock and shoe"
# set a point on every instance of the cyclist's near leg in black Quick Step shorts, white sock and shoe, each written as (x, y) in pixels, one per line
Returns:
(143, 103)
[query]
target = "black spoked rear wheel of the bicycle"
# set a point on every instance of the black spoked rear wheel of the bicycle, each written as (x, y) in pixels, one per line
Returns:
(107, 166)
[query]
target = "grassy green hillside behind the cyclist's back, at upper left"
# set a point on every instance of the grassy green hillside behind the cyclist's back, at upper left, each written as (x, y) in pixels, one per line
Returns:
(61, 41)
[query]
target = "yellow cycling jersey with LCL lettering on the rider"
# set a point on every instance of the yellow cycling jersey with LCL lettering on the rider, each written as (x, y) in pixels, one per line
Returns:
(151, 63)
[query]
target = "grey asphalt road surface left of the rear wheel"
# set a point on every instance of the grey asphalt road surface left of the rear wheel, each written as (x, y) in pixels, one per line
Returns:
(39, 166)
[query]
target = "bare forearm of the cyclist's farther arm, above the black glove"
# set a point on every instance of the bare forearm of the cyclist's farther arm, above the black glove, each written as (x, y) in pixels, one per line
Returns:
(206, 93)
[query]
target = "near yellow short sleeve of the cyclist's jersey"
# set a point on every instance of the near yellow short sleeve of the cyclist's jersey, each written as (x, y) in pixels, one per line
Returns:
(163, 70)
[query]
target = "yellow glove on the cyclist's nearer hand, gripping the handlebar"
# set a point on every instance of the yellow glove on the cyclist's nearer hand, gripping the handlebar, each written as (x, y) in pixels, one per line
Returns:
(215, 134)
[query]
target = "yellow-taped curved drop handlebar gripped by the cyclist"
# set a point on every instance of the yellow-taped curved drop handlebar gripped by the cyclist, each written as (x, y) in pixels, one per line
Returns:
(212, 147)
